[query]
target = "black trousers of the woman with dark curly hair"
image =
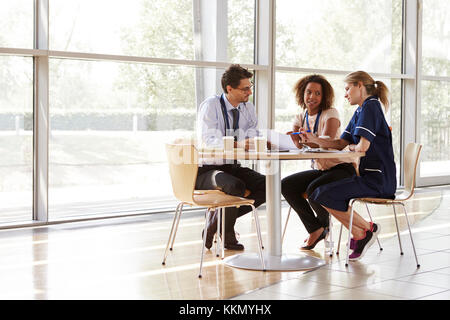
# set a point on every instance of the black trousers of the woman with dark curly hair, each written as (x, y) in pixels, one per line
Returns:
(294, 186)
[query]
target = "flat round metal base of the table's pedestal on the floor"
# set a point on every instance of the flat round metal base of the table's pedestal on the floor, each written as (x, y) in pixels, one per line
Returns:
(285, 262)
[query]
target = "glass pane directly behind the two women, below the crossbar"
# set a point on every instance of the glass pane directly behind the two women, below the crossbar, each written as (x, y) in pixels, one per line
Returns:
(286, 108)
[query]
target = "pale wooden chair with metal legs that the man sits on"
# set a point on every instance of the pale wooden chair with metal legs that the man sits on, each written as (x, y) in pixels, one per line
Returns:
(183, 167)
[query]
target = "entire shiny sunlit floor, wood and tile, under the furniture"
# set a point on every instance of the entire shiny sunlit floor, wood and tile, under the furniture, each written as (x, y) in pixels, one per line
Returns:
(121, 259)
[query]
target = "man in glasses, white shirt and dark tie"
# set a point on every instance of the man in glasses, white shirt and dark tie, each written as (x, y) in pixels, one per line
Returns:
(230, 114)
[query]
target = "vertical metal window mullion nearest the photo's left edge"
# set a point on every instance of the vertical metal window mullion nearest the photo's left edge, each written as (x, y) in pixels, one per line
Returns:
(40, 112)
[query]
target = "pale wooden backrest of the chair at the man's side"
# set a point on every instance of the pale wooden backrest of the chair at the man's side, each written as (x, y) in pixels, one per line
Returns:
(183, 167)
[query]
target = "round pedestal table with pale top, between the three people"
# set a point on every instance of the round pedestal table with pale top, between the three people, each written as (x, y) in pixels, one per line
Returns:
(274, 258)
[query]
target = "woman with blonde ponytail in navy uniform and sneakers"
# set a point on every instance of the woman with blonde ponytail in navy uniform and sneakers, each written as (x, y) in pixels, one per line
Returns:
(367, 132)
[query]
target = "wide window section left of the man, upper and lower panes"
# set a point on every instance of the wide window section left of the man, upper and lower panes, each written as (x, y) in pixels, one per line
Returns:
(109, 120)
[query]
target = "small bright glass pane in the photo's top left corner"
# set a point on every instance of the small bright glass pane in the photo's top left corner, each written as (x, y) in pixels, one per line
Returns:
(12, 15)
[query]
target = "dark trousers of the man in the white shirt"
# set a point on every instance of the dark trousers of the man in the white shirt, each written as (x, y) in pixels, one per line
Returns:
(233, 179)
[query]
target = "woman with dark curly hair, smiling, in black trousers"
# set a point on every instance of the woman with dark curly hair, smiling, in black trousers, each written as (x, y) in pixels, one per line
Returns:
(315, 96)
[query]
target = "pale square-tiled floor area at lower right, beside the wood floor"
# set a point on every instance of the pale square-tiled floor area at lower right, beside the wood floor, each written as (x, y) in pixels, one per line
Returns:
(382, 274)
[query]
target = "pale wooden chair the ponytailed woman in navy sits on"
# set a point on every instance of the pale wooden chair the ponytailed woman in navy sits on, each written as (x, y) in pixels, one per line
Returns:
(411, 158)
